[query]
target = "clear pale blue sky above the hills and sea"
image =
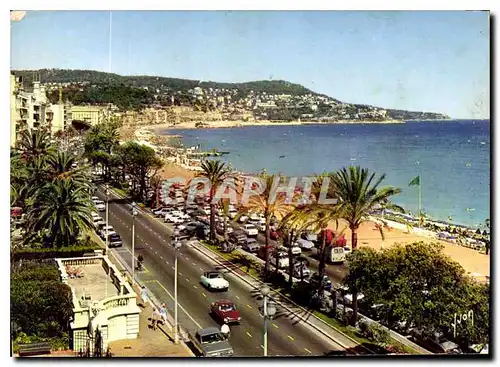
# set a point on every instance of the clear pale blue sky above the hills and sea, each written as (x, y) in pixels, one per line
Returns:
(424, 61)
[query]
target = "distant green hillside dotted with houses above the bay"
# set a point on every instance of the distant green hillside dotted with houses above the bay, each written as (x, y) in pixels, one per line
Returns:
(264, 99)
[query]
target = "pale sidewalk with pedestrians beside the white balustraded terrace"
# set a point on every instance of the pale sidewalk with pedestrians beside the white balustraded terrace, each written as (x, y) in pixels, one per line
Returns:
(150, 343)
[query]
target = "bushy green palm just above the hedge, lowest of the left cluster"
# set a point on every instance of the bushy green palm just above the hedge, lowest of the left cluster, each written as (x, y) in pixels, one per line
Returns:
(62, 211)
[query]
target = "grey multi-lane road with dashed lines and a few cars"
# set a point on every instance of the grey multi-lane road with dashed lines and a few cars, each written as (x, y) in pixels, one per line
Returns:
(286, 336)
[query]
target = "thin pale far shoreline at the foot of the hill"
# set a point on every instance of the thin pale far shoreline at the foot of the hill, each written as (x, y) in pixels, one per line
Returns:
(241, 123)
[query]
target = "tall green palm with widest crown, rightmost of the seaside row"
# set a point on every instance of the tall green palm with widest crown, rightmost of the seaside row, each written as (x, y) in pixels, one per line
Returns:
(358, 194)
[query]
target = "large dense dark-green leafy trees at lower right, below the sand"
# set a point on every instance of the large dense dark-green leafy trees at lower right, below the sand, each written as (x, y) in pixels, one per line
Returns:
(418, 284)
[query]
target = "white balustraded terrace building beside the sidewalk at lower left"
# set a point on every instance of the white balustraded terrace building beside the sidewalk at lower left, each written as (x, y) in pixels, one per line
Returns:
(102, 299)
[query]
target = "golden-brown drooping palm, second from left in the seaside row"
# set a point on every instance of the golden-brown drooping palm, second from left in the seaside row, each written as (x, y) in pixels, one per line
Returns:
(263, 203)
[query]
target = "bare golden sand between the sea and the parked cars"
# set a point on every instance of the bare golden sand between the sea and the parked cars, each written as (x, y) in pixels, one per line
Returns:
(471, 260)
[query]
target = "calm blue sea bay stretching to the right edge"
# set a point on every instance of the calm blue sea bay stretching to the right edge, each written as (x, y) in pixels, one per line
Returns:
(451, 157)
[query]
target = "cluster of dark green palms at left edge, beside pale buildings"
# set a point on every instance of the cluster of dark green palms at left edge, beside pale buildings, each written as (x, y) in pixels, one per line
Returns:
(55, 196)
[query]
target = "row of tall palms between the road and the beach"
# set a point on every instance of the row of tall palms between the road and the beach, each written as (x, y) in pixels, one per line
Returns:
(358, 193)
